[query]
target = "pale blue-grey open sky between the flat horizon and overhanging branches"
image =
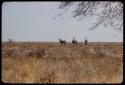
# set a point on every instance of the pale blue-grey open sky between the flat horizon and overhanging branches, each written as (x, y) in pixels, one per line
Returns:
(33, 21)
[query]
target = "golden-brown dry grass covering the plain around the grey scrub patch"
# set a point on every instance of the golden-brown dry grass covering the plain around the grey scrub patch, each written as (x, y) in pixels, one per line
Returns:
(64, 64)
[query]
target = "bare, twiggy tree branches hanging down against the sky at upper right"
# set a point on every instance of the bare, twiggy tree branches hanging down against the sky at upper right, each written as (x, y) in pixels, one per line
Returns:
(106, 13)
